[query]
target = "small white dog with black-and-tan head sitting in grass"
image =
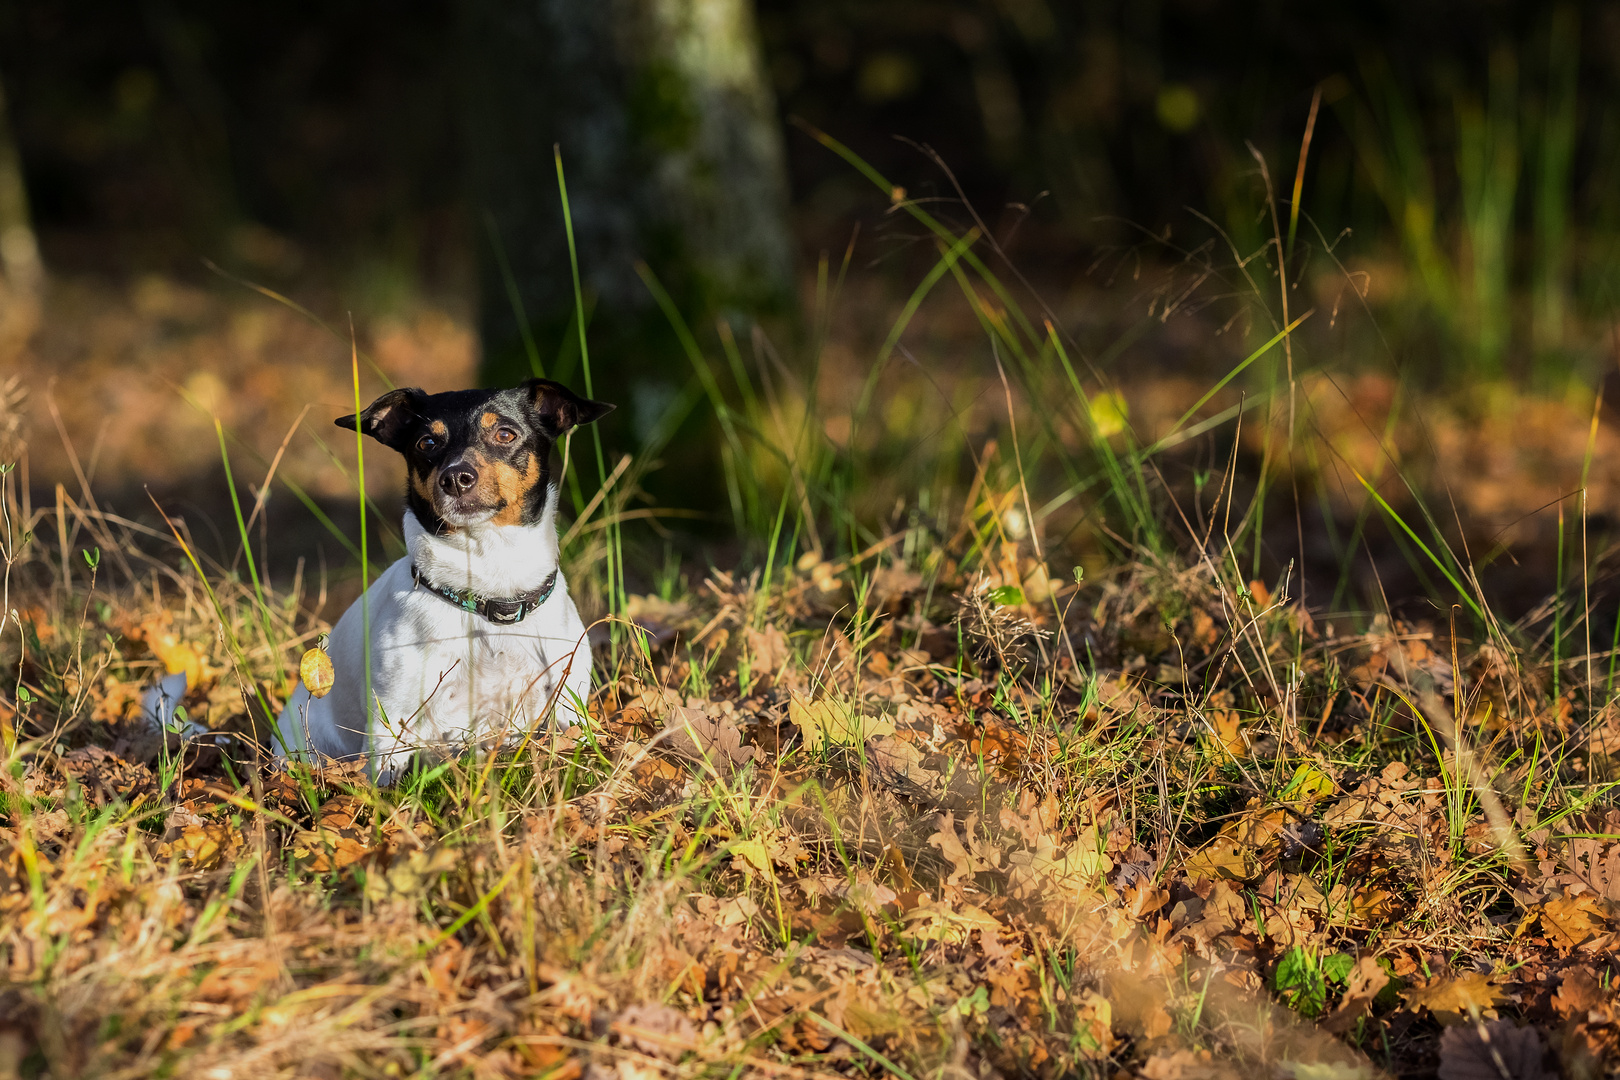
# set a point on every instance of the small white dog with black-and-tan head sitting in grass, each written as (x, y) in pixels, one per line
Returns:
(474, 634)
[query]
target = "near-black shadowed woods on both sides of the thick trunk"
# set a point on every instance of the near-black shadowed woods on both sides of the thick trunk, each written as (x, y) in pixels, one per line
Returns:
(323, 138)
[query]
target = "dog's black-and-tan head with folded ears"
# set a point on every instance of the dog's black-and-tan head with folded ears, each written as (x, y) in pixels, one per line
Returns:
(477, 456)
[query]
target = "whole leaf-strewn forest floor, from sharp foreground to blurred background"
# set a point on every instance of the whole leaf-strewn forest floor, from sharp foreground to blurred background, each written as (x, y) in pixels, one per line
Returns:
(945, 807)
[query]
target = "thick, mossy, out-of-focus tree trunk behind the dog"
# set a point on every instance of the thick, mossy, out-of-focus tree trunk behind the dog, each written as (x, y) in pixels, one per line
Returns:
(673, 153)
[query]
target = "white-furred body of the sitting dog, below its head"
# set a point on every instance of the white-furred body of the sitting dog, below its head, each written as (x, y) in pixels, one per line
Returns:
(441, 674)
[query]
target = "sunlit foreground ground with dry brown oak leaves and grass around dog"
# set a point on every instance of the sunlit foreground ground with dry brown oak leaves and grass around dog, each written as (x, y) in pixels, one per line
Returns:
(872, 817)
